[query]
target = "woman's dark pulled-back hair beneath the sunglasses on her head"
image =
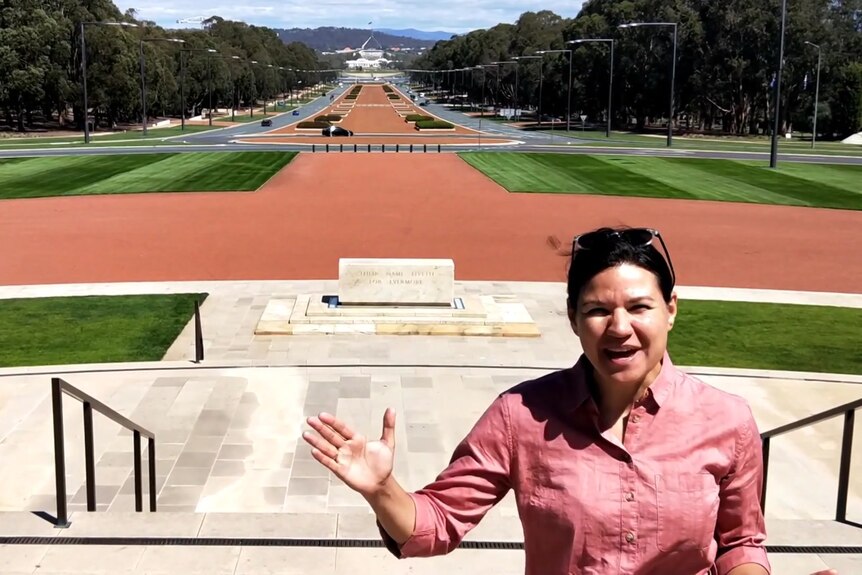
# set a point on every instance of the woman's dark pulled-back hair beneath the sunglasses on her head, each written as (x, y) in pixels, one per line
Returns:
(587, 263)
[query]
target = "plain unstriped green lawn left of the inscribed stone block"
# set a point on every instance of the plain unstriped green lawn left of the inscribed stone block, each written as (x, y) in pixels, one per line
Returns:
(94, 329)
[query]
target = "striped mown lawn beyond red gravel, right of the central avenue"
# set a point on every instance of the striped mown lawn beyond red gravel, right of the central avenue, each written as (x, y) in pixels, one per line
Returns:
(796, 184)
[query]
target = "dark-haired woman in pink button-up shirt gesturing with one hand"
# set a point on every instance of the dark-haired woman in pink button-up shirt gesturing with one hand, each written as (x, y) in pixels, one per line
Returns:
(620, 464)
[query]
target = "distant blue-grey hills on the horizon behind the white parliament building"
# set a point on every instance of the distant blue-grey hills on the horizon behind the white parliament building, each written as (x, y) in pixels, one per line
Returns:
(330, 39)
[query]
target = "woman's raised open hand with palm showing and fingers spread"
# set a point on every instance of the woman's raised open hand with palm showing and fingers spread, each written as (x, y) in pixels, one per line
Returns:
(362, 465)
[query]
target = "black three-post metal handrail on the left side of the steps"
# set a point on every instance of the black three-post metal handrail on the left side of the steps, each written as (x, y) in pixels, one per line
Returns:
(58, 388)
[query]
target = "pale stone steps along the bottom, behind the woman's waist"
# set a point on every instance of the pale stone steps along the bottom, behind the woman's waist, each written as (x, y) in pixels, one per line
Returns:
(234, 558)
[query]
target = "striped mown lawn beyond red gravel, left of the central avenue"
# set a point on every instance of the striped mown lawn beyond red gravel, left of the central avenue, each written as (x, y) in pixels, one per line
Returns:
(136, 173)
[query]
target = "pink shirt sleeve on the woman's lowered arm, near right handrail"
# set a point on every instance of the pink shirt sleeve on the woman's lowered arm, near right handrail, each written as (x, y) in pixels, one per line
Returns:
(740, 529)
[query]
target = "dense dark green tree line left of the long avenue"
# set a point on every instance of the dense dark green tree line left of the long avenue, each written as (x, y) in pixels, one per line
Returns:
(41, 64)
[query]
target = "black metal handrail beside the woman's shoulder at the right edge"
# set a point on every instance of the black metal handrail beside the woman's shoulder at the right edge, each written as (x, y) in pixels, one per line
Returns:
(849, 412)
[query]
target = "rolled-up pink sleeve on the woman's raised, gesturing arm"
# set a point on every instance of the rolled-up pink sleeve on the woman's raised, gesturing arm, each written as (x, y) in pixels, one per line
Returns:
(476, 479)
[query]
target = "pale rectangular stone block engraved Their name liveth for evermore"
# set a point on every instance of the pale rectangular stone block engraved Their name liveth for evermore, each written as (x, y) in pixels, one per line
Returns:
(396, 281)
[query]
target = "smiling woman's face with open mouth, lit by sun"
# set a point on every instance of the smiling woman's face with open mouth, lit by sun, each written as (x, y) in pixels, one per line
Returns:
(622, 321)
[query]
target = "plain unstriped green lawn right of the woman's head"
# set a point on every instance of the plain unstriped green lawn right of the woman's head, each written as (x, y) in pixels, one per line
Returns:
(767, 336)
